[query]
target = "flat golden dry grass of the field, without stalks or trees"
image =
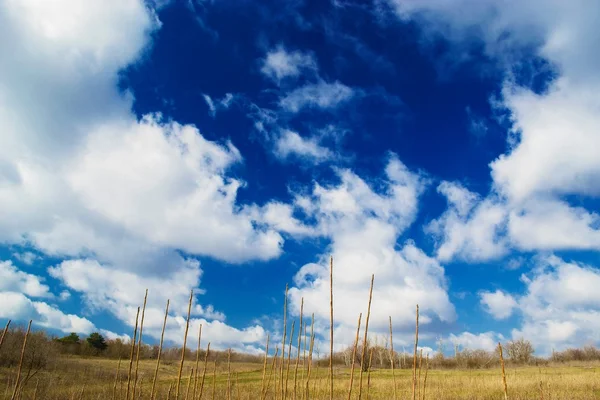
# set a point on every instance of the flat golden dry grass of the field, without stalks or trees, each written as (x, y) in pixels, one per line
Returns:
(94, 378)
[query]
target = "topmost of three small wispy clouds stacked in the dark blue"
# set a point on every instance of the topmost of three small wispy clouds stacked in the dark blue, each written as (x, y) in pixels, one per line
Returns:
(280, 63)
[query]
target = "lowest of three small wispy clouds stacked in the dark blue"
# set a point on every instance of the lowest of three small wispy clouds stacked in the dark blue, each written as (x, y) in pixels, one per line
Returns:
(290, 143)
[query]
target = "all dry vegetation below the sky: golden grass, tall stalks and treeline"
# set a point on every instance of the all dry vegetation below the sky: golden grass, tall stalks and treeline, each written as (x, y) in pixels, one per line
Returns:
(35, 366)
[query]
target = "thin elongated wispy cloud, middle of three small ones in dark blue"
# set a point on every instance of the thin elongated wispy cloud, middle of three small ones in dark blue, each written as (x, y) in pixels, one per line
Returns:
(316, 95)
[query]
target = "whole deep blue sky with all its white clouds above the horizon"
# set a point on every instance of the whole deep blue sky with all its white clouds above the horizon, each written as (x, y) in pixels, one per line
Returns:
(449, 148)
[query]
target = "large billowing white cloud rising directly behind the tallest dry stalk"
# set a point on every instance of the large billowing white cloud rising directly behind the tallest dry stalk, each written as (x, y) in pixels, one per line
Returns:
(364, 225)
